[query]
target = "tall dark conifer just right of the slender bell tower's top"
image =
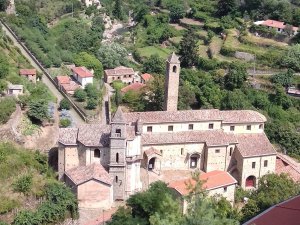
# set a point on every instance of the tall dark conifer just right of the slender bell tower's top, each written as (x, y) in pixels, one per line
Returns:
(188, 49)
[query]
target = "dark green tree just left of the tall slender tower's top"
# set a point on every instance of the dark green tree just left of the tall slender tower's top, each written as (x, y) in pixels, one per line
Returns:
(154, 64)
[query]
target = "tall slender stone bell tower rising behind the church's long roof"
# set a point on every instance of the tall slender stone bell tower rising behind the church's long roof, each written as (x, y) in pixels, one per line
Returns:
(172, 83)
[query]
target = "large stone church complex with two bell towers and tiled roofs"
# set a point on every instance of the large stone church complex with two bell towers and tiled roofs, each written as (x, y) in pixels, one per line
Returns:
(120, 159)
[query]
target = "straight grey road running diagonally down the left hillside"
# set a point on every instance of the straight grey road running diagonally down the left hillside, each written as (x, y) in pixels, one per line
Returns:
(76, 118)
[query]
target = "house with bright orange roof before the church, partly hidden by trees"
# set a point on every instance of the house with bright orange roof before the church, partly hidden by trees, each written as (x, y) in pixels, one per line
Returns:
(216, 183)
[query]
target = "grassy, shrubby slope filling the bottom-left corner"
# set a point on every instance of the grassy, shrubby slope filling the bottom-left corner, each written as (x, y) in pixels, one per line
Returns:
(29, 192)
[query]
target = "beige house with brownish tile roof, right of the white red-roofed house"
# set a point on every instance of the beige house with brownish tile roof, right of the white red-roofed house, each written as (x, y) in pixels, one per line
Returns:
(122, 73)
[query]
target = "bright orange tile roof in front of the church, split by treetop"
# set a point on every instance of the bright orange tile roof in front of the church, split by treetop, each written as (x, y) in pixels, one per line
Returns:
(212, 180)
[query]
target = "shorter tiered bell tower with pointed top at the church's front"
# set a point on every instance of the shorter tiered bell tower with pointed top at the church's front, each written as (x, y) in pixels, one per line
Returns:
(117, 162)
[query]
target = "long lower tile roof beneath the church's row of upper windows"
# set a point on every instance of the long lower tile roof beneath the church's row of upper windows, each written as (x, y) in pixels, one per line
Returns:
(211, 138)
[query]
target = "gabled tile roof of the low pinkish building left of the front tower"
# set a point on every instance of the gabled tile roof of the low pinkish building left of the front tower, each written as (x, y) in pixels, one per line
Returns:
(94, 171)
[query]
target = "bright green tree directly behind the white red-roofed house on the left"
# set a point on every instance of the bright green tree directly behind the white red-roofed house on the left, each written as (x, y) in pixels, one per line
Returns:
(90, 62)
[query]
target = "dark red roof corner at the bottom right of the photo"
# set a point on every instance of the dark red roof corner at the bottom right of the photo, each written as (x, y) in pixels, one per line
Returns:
(285, 213)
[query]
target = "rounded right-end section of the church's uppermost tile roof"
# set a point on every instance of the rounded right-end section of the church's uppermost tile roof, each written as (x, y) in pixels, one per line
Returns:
(242, 116)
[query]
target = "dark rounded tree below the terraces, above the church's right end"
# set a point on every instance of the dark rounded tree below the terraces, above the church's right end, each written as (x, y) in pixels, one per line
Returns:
(236, 76)
